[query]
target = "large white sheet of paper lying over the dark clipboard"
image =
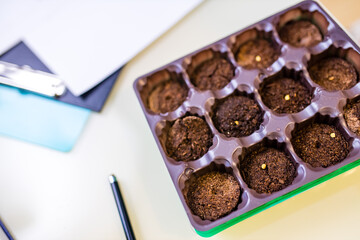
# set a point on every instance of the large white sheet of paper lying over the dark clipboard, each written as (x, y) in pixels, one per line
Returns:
(85, 41)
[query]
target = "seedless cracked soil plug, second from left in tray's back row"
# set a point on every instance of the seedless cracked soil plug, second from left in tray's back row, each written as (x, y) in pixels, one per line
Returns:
(213, 74)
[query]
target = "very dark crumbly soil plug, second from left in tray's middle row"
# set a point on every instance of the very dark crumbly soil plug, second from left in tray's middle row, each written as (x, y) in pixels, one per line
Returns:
(237, 116)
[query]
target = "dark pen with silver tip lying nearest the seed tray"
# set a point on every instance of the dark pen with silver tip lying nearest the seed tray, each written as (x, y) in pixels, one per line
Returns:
(121, 208)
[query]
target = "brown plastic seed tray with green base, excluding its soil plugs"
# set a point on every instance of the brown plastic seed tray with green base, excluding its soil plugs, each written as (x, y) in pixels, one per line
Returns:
(276, 129)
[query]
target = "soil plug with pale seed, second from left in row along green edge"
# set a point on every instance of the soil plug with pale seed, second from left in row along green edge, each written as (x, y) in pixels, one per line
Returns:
(268, 170)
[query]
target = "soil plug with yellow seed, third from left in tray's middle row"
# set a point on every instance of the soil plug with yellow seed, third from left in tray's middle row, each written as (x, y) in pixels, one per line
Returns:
(285, 95)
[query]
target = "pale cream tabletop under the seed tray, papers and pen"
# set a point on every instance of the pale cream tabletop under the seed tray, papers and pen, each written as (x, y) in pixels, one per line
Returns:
(47, 194)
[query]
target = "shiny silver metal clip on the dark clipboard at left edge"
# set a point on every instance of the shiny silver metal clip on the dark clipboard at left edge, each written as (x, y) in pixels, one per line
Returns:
(33, 80)
